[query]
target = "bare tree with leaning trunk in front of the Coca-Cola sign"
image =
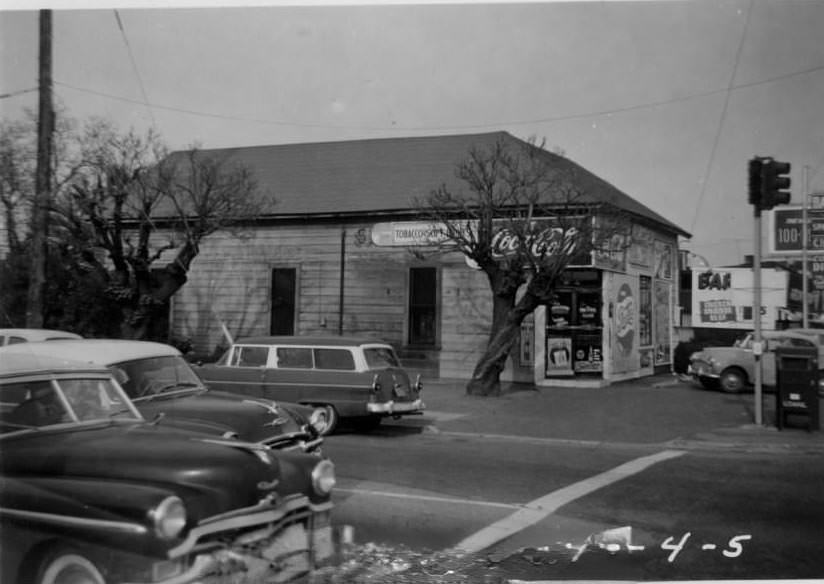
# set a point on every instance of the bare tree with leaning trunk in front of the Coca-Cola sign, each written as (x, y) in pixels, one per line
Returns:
(525, 216)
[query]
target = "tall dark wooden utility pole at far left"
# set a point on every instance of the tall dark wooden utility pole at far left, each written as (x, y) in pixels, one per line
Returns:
(42, 195)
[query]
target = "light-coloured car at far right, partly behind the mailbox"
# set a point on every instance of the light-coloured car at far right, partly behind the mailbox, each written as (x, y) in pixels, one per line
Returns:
(732, 368)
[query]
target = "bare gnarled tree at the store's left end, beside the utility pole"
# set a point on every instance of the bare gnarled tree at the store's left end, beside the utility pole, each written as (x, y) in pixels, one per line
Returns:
(136, 215)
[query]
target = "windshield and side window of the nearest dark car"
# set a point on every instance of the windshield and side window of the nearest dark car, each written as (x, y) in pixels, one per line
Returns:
(44, 402)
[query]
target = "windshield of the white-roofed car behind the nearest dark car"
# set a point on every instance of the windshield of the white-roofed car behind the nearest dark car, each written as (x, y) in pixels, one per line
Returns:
(146, 377)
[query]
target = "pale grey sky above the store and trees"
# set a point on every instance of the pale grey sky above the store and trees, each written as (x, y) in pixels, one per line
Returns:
(666, 100)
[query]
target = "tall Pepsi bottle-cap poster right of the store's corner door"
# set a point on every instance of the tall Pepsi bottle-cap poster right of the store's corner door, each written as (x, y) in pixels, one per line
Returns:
(624, 313)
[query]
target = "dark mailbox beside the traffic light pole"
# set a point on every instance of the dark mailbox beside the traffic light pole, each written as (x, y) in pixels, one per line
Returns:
(796, 393)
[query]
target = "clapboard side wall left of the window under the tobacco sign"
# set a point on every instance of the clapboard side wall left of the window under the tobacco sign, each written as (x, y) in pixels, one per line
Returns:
(232, 278)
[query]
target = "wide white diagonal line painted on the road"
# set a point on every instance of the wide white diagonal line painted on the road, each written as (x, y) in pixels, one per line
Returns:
(541, 508)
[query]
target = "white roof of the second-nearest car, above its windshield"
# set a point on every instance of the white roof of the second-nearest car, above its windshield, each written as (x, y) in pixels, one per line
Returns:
(96, 351)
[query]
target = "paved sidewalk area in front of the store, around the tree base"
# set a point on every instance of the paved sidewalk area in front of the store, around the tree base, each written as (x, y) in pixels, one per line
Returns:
(661, 411)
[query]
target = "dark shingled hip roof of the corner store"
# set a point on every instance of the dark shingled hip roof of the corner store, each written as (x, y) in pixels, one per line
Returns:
(386, 175)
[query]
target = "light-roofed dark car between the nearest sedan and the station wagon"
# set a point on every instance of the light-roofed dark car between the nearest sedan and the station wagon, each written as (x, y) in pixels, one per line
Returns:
(164, 386)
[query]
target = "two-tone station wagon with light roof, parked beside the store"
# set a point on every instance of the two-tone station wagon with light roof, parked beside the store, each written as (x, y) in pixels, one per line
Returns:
(353, 378)
